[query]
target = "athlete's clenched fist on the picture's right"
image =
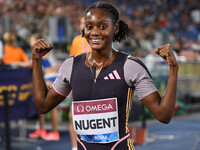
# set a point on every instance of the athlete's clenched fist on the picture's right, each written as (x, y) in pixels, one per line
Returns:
(167, 55)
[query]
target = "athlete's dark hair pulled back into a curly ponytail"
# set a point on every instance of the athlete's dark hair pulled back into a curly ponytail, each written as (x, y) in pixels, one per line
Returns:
(123, 32)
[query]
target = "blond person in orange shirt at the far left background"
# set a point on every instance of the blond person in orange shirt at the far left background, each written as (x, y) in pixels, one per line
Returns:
(13, 54)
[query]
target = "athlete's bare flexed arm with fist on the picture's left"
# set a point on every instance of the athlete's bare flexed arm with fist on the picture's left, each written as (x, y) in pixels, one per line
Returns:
(45, 99)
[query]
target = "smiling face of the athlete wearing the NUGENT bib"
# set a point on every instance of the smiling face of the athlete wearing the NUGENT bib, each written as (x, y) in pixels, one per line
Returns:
(99, 29)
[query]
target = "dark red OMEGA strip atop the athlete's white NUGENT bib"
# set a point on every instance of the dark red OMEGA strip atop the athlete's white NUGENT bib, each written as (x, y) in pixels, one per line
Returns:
(94, 107)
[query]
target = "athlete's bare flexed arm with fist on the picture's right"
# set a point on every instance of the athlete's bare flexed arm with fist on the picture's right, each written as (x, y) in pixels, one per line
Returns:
(163, 107)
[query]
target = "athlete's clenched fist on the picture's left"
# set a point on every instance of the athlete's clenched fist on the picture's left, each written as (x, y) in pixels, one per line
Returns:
(40, 48)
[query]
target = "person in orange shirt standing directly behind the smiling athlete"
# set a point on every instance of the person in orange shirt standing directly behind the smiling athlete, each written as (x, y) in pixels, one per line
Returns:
(79, 46)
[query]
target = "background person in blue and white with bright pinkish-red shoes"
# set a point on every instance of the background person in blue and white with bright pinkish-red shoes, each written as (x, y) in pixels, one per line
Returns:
(49, 75)
